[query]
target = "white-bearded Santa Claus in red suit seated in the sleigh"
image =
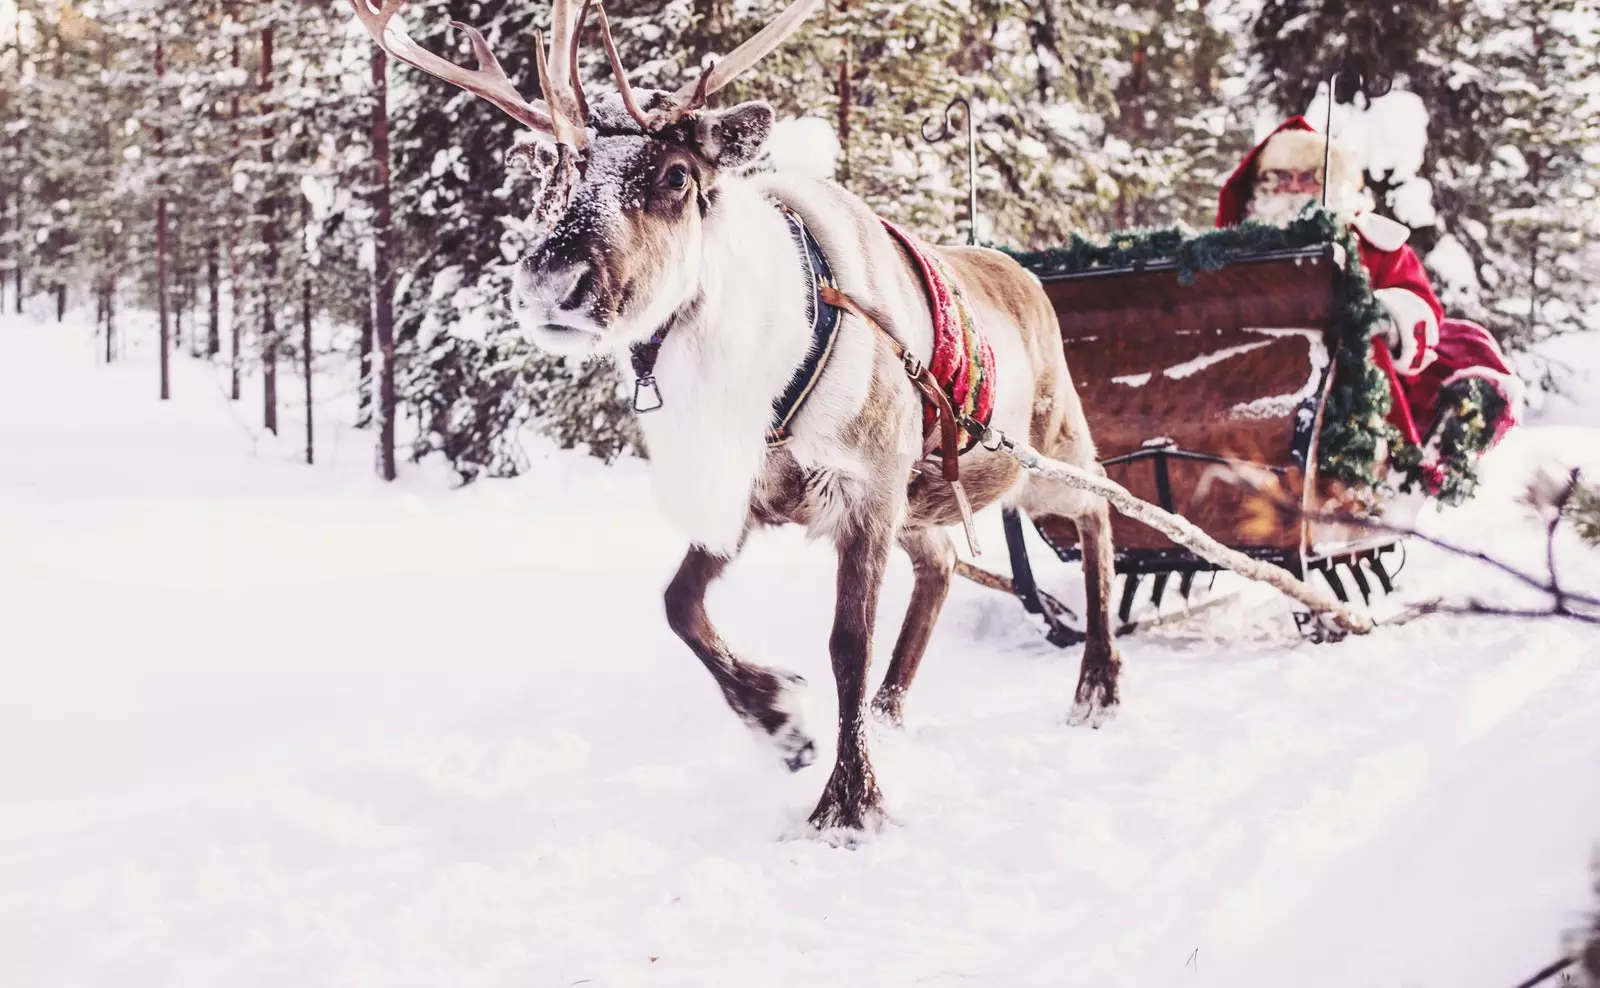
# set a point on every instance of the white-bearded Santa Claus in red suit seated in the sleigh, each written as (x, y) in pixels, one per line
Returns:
(1418, 348)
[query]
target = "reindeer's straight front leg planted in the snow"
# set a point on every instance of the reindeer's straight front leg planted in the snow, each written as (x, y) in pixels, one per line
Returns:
(852, 799)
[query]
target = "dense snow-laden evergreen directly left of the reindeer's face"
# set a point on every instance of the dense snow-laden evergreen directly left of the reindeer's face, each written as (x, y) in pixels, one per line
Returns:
(468, 380)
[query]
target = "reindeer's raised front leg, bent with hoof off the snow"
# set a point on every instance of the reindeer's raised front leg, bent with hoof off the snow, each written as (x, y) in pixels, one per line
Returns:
(764, 698)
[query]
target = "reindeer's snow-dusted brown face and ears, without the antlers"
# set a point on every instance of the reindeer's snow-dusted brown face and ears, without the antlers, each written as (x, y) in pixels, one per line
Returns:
(623, 252)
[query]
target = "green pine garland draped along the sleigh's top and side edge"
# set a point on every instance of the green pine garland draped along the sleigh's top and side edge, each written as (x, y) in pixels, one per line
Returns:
(1356, 428)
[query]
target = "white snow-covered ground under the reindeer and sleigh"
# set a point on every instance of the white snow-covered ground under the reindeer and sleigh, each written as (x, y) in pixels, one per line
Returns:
(278, 725)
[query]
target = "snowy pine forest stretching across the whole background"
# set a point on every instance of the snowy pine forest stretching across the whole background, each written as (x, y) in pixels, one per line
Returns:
(290, 204)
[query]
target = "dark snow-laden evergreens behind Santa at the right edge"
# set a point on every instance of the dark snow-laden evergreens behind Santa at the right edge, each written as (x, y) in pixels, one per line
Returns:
(1505, 87)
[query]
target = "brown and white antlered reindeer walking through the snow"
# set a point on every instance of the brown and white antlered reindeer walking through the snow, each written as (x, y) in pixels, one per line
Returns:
(652, 241)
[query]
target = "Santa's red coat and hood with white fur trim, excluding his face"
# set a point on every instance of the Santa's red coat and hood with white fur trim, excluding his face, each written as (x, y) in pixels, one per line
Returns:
(1417, 372)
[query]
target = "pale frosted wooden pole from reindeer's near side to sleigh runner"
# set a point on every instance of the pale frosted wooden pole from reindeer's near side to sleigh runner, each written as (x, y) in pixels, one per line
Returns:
(1188, 535)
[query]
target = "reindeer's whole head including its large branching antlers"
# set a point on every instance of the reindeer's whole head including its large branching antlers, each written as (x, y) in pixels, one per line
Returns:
(625, 186)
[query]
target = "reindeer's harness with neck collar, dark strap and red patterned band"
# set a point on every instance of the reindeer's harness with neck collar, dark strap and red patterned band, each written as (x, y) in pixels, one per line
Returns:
(958, 394)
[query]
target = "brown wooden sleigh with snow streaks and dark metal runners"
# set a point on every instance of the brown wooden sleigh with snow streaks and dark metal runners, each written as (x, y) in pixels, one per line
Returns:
(1182, 381)
